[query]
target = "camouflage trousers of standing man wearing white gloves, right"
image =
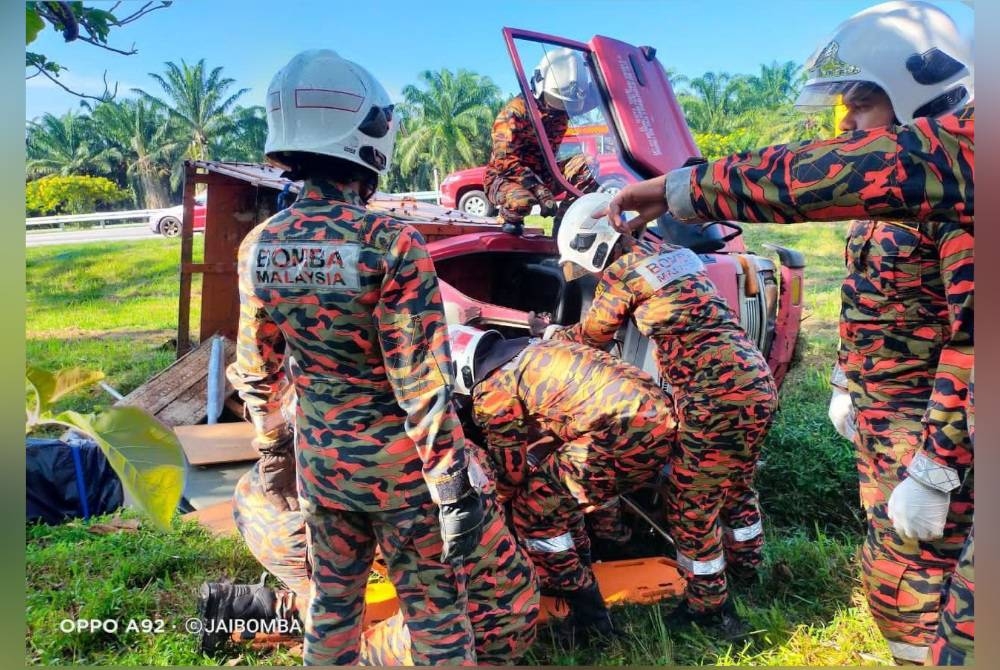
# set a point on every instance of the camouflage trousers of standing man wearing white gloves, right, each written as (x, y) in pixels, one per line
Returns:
(903, 579)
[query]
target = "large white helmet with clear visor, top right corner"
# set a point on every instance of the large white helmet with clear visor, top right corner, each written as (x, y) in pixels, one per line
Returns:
(912, 50)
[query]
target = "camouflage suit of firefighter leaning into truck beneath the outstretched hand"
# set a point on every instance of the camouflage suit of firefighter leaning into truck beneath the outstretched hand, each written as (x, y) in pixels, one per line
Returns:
(725, 398)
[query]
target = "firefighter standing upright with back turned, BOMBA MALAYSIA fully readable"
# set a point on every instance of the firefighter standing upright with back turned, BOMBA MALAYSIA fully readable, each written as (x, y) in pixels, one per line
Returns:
(376, 456)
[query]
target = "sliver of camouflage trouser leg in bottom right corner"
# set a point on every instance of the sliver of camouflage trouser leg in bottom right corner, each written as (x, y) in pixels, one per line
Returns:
(954, 643)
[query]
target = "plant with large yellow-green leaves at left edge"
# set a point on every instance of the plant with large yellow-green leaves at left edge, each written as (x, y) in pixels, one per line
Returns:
(144, 453)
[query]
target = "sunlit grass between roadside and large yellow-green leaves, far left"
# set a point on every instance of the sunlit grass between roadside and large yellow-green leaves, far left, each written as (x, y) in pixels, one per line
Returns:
(111, 307)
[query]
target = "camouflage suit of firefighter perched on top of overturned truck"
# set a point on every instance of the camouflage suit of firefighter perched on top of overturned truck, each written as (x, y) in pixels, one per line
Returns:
(517, 175)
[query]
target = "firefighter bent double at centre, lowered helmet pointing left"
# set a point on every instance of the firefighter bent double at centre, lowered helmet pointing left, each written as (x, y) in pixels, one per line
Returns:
(567, 429)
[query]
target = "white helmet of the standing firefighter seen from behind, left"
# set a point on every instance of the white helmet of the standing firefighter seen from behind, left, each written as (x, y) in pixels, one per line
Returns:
(323, 104)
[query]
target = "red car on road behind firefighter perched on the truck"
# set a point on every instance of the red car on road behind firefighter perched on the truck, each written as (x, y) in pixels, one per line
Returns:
(463, 189)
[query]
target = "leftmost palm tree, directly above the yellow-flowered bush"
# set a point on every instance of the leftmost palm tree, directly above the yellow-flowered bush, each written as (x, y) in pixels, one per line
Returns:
(64, 145)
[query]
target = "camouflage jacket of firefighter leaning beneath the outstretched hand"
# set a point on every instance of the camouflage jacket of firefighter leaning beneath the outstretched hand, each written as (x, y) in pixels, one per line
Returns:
(702, 350)
